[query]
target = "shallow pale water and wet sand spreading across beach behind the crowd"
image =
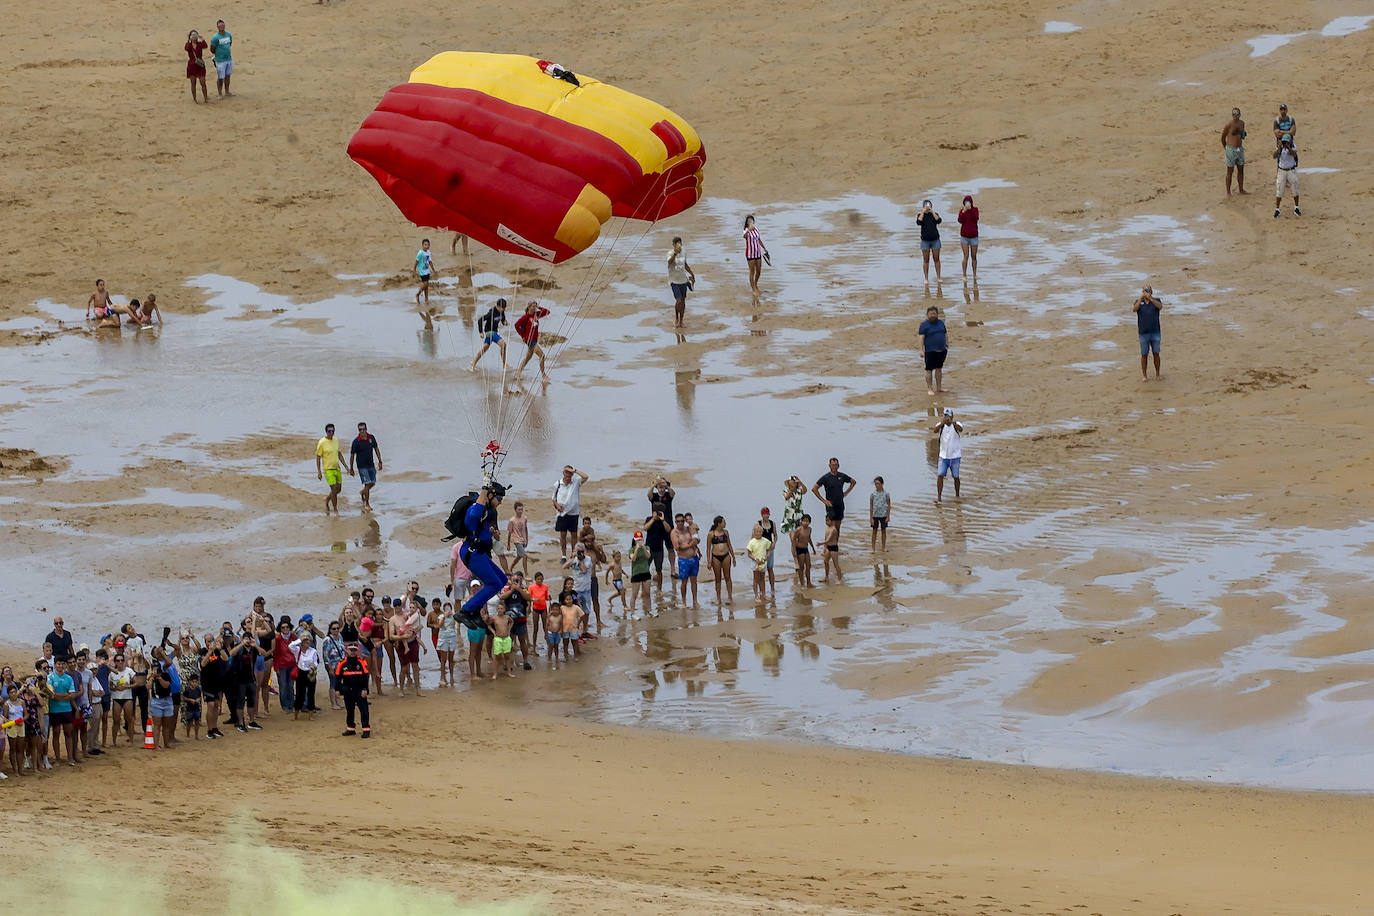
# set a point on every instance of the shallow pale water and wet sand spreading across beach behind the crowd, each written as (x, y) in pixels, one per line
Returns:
(934, 659)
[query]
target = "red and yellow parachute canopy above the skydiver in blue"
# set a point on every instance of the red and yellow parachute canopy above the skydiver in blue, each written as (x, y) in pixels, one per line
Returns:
(504, 152)
